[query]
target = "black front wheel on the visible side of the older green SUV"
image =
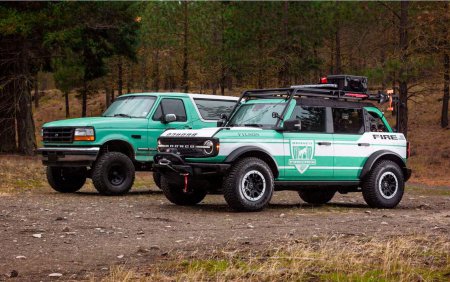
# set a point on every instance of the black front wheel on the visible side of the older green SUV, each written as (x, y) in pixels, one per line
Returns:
(113, 174)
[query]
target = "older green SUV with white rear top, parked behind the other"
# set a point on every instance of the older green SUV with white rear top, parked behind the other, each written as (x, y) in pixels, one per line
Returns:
(110, 148)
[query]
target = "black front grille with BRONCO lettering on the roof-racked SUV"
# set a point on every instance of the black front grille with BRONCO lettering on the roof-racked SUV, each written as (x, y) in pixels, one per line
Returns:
(183, 146)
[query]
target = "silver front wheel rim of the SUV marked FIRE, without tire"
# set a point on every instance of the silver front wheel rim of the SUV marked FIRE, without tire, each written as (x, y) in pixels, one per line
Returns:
(253, 185)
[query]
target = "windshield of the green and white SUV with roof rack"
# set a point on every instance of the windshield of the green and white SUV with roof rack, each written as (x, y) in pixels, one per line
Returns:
(257, 115)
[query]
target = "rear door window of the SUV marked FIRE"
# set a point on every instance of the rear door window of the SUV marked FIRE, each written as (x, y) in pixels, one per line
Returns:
(348, 121)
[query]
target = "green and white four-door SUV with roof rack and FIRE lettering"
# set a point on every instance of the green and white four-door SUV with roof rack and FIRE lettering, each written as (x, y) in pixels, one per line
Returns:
(313, 139)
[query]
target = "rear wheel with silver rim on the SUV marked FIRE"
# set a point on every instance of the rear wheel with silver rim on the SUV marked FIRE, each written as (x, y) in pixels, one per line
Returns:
(384, 186)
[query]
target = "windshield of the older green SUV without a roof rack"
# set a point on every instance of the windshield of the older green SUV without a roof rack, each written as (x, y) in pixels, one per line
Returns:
(132, 106)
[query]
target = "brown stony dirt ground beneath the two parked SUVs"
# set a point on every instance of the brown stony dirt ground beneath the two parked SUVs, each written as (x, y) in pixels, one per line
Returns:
(82, 235)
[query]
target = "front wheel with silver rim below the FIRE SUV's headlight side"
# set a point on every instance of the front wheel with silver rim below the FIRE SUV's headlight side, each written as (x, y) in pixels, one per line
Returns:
(249, 185)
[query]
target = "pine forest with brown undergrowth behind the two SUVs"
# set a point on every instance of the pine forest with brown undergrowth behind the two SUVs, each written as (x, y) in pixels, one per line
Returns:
(71, 59)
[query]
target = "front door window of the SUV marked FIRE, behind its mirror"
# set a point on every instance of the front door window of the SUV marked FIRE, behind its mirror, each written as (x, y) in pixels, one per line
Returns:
(312, 118)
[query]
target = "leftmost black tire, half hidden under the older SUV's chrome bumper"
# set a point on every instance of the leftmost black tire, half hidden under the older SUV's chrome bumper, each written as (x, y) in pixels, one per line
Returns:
(66, 179)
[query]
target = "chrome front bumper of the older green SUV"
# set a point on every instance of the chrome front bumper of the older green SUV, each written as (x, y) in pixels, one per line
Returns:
(68, 156)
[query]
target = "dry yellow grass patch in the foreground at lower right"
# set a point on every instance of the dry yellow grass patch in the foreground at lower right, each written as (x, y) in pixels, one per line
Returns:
(411, 258)
